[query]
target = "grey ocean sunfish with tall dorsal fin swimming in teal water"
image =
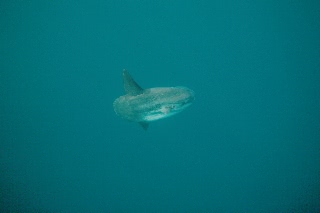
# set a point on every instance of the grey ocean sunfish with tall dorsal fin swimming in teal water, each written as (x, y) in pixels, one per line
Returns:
(146, 105)
